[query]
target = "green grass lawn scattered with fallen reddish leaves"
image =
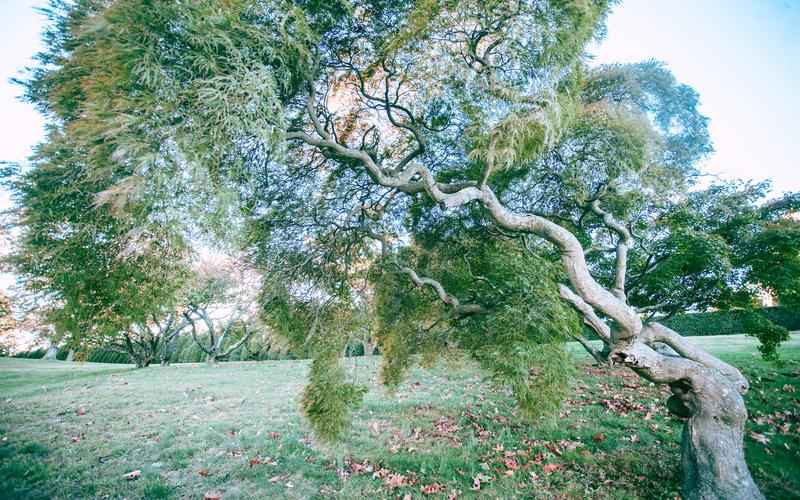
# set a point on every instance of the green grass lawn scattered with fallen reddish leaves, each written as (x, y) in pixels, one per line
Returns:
(72, 430)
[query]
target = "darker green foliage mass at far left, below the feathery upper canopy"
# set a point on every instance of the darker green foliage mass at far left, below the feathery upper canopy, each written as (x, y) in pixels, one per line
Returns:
(102, 272)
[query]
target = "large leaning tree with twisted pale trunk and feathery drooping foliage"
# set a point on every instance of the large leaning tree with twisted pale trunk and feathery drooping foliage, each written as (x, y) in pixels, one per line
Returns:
(508, 182)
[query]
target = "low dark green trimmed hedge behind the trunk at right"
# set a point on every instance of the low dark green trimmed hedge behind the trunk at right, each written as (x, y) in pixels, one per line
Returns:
(729, 322)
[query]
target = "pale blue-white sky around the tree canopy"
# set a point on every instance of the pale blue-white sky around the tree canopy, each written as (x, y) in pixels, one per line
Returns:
(742, 56)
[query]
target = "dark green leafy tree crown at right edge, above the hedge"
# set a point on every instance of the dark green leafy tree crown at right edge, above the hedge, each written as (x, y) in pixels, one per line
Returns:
(718, 247)
